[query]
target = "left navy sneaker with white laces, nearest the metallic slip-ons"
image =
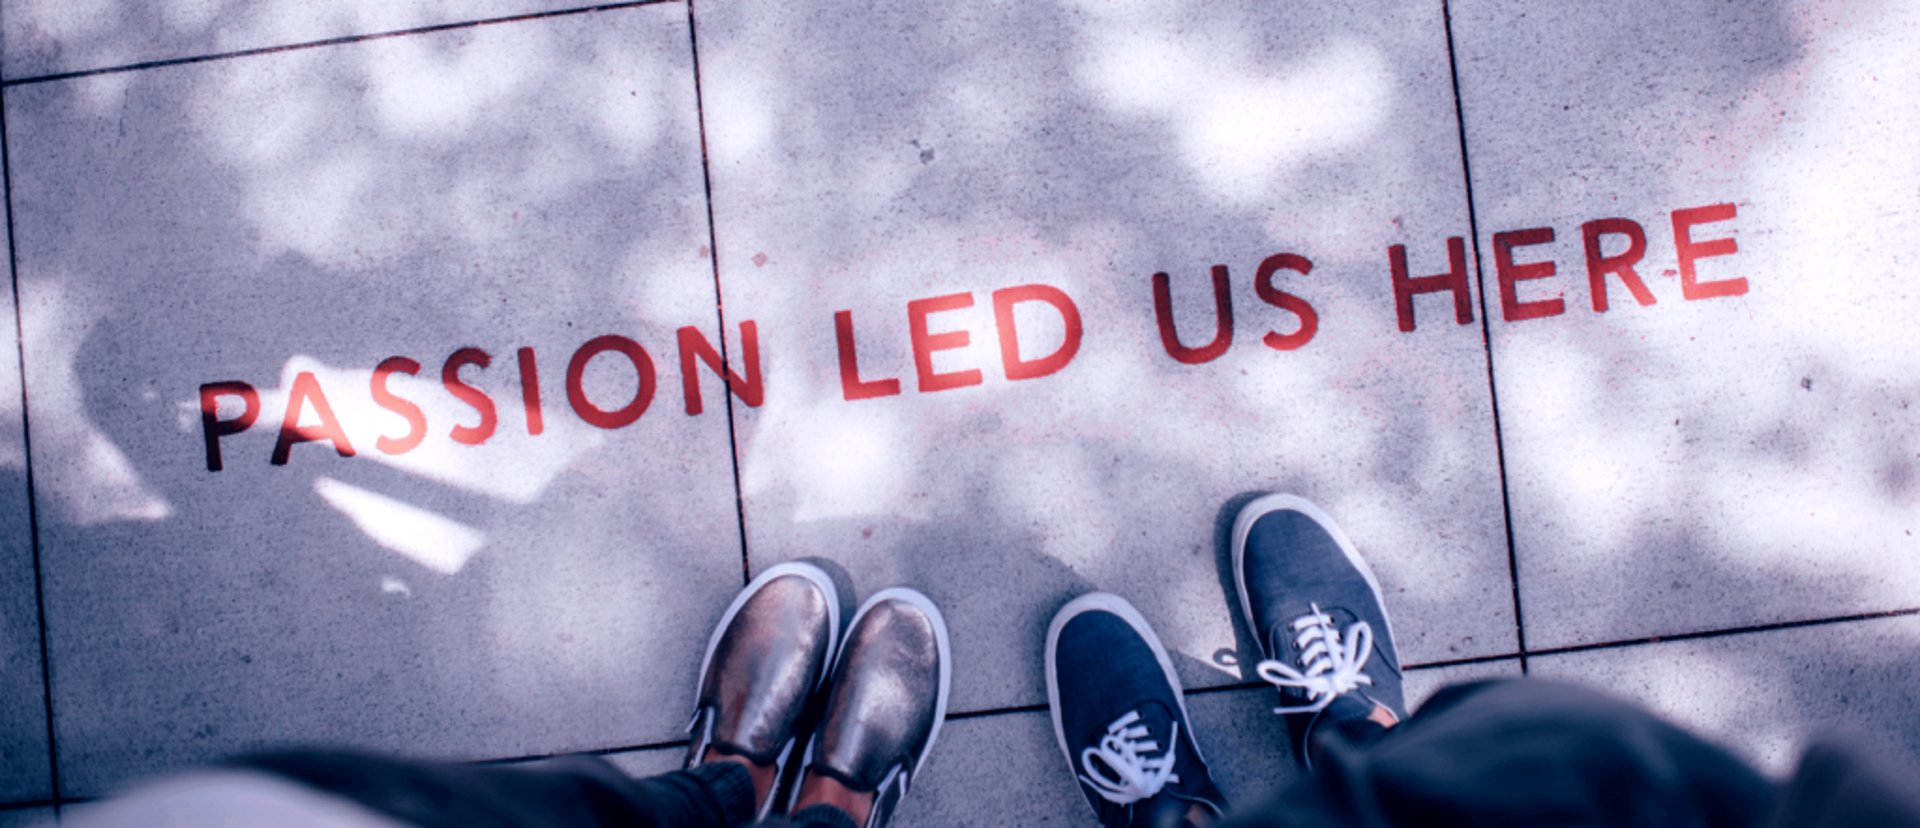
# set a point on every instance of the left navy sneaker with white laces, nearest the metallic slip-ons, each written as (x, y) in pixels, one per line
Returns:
(1122, 719)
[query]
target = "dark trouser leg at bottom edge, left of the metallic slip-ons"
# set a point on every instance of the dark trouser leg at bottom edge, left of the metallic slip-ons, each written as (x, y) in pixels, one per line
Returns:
(562, 792)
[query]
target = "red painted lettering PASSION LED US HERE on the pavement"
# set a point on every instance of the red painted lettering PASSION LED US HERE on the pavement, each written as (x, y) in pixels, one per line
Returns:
(926, 337)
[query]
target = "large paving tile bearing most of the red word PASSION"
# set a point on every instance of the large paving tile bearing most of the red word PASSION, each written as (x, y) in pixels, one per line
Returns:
(314, 214)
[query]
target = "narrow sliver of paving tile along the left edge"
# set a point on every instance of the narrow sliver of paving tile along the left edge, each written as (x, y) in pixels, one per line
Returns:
(24, 764)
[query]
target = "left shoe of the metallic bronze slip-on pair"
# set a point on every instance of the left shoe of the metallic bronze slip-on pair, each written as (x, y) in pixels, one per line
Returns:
(763, 664)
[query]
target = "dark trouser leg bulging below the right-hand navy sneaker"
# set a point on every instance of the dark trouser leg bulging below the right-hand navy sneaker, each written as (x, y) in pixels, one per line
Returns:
(1524, 752)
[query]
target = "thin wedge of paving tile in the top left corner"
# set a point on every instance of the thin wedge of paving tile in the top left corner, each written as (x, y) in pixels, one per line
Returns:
(45, 37)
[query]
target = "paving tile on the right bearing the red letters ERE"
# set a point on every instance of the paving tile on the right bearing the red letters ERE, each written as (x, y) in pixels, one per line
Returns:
(1729, 458)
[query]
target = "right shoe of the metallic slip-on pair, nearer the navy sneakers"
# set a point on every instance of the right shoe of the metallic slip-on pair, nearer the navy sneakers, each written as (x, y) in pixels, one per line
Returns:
(884, 710)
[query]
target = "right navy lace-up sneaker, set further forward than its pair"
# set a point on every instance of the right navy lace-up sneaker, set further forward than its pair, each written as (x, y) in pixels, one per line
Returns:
(1320, 620)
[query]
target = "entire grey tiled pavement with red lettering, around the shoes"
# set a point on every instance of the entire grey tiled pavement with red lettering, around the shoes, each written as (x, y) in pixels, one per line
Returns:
(454, 291)
